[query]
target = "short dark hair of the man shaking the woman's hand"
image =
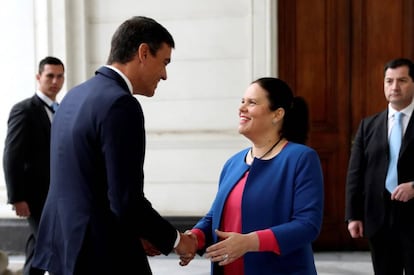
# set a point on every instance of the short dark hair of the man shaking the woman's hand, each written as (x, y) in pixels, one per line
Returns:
(132, 33)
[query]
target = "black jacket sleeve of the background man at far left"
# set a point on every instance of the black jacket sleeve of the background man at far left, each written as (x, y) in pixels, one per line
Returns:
(13, 156)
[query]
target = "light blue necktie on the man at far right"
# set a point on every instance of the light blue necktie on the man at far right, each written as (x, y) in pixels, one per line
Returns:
(394, 143)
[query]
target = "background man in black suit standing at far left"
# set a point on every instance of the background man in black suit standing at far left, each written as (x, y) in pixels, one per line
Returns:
(27, 151)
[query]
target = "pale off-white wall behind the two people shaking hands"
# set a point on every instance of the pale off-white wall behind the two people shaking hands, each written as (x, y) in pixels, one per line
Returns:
(221, 46)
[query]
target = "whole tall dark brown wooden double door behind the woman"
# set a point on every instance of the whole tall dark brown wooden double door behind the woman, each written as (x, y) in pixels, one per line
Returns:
(332, 53)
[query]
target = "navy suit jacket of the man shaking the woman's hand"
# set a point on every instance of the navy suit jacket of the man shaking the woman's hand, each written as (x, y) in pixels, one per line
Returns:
(96, 210)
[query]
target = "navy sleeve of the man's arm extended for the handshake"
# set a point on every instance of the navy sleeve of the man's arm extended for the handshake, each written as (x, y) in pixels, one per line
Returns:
(123, 137)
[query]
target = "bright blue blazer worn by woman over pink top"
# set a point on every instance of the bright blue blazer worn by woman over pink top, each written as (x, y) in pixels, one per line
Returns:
(284, 194)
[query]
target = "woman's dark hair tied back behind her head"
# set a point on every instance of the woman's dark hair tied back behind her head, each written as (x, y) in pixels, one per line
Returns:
(295, 126)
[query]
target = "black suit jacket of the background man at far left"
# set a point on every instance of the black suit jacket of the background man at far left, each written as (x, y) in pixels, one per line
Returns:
(26, 154)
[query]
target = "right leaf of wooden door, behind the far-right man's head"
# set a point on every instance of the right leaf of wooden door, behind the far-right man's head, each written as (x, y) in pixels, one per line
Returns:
(382, 31)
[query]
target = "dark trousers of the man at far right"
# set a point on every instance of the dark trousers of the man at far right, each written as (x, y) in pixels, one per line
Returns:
(392, 247)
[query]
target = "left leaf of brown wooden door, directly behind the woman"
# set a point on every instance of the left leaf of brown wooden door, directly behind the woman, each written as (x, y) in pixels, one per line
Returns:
(313, 59)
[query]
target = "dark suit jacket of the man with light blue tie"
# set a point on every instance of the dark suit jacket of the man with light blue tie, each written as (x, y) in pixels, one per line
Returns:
(366, 196)
